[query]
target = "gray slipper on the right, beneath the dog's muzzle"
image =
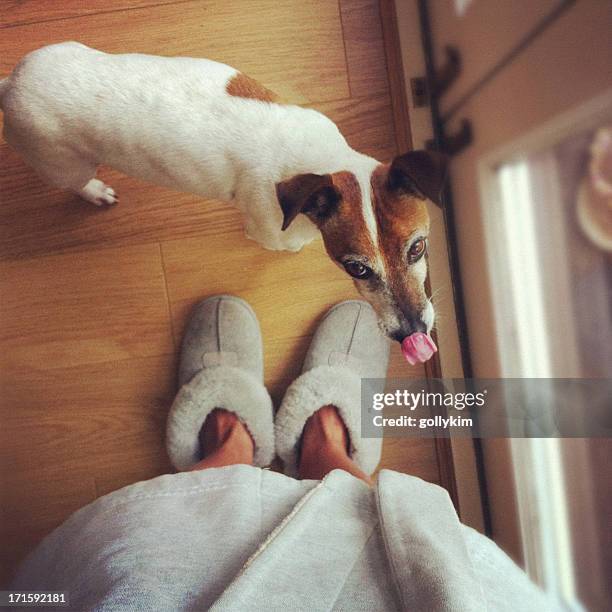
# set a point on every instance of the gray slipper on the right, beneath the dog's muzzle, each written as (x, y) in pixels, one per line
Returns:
(346, 347)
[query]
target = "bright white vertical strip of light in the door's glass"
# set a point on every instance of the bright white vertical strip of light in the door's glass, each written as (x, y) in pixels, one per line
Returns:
(537, 462)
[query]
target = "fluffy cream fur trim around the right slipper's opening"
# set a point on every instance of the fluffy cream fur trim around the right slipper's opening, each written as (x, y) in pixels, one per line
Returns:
(323, 385)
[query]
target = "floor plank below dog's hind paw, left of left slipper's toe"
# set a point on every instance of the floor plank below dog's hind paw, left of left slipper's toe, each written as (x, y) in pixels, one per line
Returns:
(93, 307)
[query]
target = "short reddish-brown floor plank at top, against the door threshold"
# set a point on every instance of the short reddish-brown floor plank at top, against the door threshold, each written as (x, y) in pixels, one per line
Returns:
(364, 44)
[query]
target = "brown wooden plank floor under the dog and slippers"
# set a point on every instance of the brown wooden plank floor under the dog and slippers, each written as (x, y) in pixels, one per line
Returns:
(94, 300)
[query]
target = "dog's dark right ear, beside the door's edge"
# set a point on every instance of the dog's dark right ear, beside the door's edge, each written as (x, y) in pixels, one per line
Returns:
(420, 172)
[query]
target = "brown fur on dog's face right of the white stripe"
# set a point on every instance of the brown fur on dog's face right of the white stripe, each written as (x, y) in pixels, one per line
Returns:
(398, 216)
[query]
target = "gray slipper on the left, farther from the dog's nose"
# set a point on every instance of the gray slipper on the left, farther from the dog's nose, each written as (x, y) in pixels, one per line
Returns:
(221, 366)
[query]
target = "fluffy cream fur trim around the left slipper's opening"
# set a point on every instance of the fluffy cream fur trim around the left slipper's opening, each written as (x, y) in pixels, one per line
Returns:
(227, 387)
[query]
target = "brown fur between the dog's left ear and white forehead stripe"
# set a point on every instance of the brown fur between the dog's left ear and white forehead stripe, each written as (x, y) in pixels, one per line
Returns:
(349, 216)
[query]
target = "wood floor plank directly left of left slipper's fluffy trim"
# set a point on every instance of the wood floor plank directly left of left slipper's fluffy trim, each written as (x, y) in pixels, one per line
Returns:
(113, 422)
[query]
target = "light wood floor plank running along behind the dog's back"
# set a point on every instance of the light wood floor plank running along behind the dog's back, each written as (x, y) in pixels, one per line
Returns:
(294, 48)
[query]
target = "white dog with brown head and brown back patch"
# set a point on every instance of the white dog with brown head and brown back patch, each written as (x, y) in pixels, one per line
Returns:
(200, 126)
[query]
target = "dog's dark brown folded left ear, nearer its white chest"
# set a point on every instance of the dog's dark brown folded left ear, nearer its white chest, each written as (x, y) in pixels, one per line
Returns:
(312, 194)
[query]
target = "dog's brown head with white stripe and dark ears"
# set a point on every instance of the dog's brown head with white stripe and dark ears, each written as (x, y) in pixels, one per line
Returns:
(376, 228)
